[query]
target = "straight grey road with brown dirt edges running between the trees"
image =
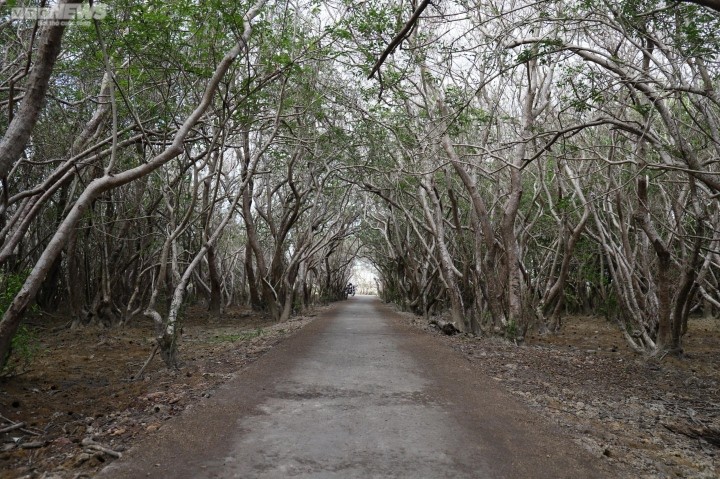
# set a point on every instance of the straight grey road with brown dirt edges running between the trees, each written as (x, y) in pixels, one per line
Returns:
(358, 395)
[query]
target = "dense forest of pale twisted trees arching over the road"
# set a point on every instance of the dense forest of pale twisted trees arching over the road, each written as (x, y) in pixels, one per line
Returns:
(504, 164)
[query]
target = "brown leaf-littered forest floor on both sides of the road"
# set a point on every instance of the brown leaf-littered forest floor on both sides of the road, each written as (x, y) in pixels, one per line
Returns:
(81, 405)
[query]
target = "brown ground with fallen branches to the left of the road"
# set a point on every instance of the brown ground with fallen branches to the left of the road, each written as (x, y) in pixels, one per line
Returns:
(78, 404)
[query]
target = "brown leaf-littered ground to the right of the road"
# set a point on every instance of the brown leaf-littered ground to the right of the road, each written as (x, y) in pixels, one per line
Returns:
(656, 417)
